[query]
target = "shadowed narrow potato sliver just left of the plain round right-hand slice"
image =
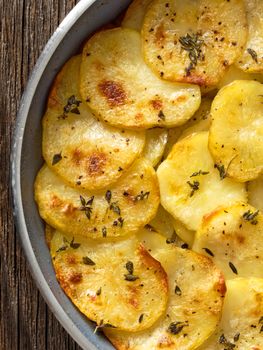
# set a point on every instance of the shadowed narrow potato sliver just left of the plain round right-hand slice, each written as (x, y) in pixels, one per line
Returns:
(199, 122)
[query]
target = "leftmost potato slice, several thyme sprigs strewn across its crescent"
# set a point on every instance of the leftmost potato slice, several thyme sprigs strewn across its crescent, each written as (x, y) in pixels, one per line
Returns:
(121, 209)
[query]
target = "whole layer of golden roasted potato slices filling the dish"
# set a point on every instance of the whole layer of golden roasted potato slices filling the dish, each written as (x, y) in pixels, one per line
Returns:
(152, 187)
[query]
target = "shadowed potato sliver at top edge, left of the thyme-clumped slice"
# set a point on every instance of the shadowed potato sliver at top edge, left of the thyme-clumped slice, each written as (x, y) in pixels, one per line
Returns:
(134, 16)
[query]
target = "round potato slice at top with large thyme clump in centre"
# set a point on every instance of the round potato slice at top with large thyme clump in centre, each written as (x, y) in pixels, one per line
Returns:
(193, 41)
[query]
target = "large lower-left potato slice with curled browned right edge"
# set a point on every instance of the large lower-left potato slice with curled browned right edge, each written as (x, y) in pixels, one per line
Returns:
(112, 283)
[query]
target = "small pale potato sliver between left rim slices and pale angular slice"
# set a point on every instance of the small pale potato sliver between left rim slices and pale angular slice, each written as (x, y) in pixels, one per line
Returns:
(156, 140)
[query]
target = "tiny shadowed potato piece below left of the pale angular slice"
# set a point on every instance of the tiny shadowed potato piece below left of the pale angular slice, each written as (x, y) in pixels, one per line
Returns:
(162, 223)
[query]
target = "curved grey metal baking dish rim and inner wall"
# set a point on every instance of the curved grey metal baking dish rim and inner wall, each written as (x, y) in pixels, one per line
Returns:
(26, 160)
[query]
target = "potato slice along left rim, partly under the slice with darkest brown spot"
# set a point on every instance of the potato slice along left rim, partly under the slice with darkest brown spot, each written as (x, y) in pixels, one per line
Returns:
(82, 150)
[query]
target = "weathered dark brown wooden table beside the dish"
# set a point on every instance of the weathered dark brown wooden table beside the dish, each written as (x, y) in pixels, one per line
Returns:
(25, 321)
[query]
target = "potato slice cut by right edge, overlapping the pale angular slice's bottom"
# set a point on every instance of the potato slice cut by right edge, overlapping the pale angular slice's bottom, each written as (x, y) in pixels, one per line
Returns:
(233, 238)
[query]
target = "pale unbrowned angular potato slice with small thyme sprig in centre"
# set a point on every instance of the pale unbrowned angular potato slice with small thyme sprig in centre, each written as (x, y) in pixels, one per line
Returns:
(190, 185)
